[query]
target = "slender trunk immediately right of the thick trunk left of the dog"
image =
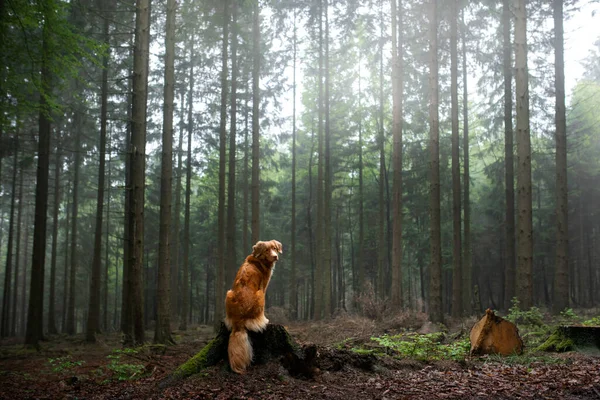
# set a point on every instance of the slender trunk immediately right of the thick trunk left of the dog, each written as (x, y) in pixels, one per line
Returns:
(185, 284)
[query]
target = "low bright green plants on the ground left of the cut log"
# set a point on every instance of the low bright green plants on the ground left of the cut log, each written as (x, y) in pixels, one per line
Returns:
(425, 347)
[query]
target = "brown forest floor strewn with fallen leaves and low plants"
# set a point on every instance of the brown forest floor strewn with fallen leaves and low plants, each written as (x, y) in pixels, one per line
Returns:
(68, 368)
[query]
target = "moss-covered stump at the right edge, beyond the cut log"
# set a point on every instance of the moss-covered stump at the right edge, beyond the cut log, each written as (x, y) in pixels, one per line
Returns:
(568, 338)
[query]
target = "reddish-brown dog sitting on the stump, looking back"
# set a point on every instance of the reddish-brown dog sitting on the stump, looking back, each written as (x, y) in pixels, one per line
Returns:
(245, 302)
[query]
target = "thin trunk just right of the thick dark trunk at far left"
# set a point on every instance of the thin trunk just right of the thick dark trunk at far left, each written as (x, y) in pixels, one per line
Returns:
(52, 300)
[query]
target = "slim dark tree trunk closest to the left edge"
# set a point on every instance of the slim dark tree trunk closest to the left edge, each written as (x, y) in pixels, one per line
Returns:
(5, 327)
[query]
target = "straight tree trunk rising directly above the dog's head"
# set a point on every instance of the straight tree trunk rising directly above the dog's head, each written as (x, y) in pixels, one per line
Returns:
(255, 122)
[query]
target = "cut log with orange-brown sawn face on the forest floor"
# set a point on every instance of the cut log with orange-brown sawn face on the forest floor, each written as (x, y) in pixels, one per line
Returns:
(495, 335)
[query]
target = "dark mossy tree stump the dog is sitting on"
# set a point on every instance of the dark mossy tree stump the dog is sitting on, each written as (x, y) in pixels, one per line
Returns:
(274, 342)
